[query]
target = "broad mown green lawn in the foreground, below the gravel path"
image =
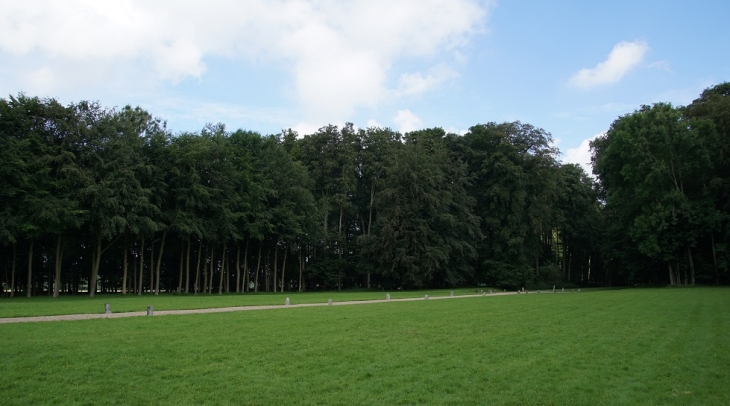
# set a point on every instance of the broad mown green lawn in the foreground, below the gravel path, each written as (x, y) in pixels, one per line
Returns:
(634, 346)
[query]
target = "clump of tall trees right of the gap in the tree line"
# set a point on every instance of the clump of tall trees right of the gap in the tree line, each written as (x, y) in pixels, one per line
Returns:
(664, 175)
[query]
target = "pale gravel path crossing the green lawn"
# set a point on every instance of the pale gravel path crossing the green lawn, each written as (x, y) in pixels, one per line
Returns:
(225, 309)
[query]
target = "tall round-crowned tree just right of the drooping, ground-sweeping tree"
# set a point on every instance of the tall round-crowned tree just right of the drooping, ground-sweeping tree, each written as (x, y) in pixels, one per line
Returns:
(514, 173)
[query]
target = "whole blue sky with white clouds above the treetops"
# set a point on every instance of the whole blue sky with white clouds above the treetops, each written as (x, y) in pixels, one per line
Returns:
(570, 67)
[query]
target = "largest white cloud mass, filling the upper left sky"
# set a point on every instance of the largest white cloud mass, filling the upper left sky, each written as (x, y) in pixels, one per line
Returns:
(339, 54)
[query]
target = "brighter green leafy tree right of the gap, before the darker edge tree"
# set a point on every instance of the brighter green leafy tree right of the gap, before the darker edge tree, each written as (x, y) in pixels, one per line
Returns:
(655, 167)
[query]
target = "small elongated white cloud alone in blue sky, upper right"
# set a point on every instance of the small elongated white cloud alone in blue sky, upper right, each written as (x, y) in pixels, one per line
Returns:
(624, 57)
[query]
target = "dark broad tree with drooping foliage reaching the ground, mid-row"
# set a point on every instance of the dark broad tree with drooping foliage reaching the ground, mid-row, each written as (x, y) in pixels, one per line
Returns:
(426, 229)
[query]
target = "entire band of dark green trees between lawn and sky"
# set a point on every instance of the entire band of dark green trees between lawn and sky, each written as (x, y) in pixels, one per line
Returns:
(95, 200)
